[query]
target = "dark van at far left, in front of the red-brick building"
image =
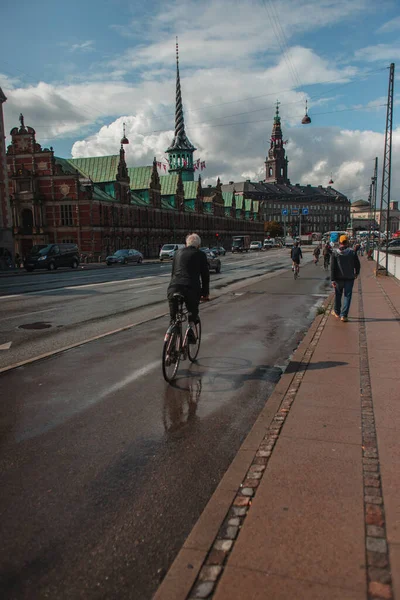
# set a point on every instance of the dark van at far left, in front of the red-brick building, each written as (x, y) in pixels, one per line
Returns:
(53, 256)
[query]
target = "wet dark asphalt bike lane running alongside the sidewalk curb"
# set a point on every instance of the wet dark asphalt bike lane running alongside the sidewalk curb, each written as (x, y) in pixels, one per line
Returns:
(105, 468)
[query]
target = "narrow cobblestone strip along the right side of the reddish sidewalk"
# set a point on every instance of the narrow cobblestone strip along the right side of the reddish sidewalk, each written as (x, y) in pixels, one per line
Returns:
(379, 577)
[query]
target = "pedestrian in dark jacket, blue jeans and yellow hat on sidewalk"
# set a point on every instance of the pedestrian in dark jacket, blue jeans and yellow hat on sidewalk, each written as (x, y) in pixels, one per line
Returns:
(345, 268)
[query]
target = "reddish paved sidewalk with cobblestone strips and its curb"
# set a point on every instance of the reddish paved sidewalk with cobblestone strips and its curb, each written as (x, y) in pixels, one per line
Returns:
(310, 507)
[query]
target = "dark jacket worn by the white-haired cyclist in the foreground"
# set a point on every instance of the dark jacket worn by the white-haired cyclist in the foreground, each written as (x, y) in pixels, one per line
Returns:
(188, 268)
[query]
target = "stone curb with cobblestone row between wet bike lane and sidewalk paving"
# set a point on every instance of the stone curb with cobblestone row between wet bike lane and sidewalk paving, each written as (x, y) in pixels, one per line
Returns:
(231, 500)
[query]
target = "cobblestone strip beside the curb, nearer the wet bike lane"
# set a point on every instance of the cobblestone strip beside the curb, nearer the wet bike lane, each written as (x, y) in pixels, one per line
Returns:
(212, 568)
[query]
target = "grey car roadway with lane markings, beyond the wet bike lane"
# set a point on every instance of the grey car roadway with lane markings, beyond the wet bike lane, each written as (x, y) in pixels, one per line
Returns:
(42, 312)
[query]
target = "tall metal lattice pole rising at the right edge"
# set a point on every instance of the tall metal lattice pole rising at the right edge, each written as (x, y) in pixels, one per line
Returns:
(387, 168)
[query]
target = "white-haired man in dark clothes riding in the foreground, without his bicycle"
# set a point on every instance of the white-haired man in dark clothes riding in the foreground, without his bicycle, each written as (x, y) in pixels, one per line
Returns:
(191, 278)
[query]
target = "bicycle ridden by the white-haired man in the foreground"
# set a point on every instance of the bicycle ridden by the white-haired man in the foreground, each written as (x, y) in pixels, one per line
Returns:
(176, 346)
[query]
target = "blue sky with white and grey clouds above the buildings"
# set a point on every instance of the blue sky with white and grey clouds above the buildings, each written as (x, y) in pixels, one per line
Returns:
(79, 70)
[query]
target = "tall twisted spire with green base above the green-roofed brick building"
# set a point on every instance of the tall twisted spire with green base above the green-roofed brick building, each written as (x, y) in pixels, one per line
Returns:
(180, 152)
